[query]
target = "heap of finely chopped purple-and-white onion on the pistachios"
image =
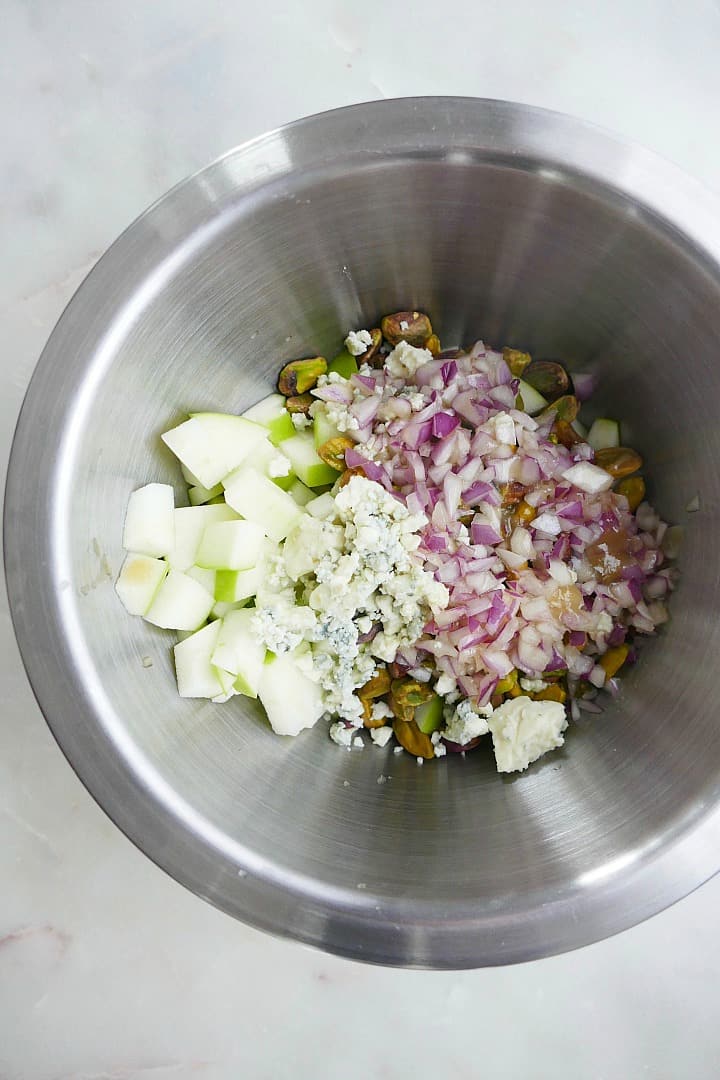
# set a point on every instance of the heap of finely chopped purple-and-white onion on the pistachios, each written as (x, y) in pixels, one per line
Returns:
(455, 455)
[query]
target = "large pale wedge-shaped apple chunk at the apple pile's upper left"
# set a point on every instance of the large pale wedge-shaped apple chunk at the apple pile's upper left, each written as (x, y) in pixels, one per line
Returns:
(212, 444)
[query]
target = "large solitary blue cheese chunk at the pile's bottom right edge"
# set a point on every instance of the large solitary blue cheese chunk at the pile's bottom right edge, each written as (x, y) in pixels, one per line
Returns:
(523, 731)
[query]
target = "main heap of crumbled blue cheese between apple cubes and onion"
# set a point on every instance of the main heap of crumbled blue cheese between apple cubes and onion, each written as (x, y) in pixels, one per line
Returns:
(356, 570)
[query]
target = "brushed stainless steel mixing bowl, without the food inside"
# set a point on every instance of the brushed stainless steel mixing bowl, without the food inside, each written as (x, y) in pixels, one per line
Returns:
(502, 222)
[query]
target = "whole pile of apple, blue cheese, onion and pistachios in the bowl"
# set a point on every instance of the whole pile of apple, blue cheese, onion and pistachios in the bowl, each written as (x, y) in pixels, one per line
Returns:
(422, 546)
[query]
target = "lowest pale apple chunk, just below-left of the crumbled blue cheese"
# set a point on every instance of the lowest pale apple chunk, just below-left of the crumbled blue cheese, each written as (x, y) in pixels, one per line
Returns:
(291, 699)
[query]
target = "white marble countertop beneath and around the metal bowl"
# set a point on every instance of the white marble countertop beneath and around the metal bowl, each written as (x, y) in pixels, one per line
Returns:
(108, 969)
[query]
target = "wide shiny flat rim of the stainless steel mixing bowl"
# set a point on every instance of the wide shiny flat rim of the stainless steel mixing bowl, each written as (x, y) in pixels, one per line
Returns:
(361, 927)
